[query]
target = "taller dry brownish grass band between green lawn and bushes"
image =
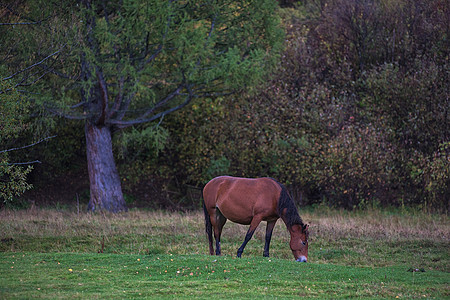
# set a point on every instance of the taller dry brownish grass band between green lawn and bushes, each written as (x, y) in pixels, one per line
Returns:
(364, 238)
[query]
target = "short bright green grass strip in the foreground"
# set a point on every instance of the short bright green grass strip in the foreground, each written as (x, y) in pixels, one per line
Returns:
(75, 275)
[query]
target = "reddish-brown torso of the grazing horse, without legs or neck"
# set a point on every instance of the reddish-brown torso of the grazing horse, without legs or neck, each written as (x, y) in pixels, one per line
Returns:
(240, 199)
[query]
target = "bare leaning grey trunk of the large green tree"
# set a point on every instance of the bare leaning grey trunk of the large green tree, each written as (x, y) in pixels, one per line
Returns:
(105, 187)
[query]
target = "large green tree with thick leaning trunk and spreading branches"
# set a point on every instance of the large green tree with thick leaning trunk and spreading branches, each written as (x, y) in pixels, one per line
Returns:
(119, 64)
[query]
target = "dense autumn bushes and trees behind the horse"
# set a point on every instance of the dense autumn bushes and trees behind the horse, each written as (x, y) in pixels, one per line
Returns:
(356, 115)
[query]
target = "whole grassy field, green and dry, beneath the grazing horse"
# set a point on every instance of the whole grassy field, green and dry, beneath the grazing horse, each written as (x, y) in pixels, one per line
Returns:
(367, 254)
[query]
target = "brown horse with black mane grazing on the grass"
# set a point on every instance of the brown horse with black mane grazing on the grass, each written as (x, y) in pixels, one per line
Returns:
(249, 201)
